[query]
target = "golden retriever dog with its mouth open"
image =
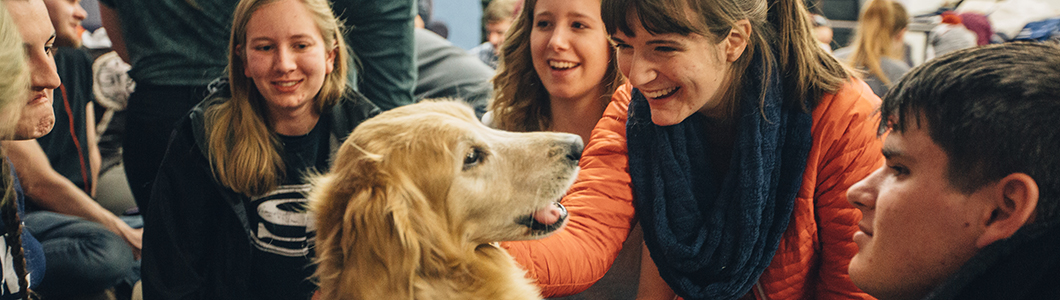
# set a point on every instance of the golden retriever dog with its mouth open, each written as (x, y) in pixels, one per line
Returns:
(418, 193)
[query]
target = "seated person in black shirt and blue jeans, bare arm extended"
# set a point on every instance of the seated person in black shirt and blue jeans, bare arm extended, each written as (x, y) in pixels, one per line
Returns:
(90, 250)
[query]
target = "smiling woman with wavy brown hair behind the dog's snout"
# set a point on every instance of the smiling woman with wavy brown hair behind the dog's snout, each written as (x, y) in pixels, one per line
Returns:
(558, 70)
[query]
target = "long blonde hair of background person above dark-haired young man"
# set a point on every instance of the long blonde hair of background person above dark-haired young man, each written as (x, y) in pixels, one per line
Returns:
(878, 29)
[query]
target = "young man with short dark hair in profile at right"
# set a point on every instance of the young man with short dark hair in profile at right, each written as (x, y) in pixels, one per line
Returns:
(967, 204)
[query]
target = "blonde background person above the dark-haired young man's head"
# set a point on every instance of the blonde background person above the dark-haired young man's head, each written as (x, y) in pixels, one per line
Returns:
(878, 49)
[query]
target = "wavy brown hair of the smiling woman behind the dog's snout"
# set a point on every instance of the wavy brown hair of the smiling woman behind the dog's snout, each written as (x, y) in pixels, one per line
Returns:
(521, 102)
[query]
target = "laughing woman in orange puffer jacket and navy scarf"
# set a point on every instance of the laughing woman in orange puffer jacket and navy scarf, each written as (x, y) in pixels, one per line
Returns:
(734, 142)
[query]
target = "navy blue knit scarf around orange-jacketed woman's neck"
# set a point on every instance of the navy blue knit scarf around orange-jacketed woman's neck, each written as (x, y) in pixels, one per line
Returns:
(711, 241)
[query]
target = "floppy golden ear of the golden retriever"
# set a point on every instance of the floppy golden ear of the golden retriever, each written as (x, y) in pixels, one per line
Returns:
(355, 225)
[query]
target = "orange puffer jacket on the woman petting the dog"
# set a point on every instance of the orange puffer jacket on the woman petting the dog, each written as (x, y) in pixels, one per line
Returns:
(812, 259)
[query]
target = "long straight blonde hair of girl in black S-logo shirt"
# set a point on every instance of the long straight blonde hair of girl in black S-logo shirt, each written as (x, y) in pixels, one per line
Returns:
(243, 149)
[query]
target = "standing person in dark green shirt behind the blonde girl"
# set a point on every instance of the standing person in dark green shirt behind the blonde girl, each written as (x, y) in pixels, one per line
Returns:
(176, 48)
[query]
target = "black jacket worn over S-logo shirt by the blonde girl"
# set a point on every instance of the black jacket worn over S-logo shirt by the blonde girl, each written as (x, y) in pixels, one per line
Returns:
(196, 245)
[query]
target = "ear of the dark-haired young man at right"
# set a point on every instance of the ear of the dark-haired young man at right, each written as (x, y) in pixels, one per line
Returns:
(1011, 209)
